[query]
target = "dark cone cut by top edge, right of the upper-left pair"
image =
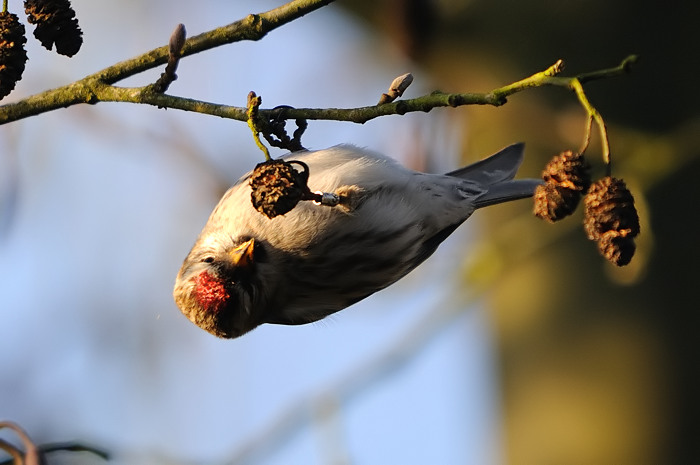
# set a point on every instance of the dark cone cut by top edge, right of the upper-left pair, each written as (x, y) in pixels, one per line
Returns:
(55, 24)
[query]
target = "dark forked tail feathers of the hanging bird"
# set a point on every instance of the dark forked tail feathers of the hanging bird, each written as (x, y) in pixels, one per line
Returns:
(496, 173)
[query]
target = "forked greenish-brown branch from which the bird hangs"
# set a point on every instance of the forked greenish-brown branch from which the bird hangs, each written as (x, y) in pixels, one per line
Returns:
(98, 87)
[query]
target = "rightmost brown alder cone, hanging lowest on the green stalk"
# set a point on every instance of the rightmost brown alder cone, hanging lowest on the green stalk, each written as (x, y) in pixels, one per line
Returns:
(611, 219)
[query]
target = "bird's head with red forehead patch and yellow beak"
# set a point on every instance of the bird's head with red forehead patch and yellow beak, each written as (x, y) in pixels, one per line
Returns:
(218, 287)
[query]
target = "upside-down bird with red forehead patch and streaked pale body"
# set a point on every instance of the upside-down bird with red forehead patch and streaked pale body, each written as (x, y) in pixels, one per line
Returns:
(246, 269)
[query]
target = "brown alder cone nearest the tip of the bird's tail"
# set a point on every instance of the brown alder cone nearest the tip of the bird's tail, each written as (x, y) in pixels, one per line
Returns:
(566, 178)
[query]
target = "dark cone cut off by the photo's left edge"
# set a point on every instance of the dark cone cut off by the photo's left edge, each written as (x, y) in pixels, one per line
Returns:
(13, 57)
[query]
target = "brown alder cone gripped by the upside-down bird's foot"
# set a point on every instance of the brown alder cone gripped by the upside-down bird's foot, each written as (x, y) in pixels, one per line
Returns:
(277, 187)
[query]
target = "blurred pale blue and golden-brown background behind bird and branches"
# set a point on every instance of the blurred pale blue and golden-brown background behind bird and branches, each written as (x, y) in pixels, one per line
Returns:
(515, 344)
